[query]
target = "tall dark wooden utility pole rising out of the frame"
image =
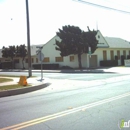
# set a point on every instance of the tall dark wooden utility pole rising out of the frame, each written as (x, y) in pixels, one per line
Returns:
(28, 40)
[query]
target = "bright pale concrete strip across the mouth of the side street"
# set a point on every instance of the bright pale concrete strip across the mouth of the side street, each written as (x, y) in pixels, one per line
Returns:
(66, 84)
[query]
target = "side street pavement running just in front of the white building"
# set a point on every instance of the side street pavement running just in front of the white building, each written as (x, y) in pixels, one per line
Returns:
(71, 76)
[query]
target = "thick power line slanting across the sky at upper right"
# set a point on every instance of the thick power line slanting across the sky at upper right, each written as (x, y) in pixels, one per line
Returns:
(101, 6)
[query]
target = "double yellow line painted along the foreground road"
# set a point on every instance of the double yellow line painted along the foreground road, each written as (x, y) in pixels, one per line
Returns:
(63, 113)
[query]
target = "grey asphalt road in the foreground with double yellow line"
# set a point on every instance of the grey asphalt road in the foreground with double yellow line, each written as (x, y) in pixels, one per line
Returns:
(94, 108)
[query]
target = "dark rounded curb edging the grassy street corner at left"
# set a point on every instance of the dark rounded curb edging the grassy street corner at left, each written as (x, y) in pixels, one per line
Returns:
(22, 90)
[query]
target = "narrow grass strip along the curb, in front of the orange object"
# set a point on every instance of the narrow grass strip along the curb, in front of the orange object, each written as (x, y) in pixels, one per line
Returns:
(14, 86)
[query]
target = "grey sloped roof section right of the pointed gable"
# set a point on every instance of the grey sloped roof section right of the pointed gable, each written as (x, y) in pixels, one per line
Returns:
(117, 42)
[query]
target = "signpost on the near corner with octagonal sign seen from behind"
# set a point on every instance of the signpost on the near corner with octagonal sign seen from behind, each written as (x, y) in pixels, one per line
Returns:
(40, 56)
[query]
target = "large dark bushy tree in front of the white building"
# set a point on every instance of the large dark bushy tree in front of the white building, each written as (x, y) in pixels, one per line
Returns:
(75, 41)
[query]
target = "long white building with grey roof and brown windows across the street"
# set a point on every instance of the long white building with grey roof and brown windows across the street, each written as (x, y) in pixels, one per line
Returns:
(109, 49)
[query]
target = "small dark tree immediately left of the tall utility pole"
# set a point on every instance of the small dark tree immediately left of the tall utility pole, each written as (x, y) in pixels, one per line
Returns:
(21, 51)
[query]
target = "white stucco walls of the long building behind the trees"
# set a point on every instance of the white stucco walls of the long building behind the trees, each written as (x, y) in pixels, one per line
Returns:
(49, 51)
